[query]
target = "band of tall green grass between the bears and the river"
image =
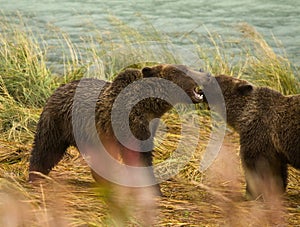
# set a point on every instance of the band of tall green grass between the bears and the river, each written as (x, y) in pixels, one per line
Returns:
(27, 81)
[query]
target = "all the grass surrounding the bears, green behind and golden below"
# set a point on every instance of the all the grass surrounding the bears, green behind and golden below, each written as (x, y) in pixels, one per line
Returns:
(70, 197)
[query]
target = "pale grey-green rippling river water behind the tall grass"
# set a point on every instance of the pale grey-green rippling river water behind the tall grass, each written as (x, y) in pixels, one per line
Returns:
(272, 18)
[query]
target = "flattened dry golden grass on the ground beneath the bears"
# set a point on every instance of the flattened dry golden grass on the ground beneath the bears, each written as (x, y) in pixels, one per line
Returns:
(70, 197)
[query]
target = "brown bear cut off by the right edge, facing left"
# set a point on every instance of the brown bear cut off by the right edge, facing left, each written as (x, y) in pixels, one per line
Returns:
(269, 127)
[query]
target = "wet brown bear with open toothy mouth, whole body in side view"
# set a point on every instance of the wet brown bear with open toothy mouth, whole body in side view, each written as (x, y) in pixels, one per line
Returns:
(135, 98)
